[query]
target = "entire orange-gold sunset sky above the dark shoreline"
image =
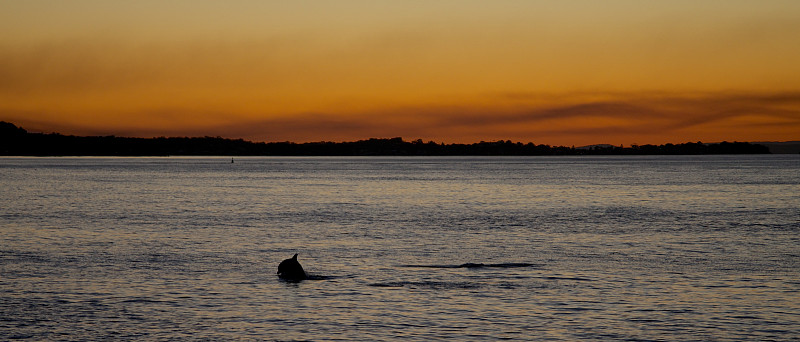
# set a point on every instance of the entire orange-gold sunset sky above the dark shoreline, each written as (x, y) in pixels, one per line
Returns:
(571, 72)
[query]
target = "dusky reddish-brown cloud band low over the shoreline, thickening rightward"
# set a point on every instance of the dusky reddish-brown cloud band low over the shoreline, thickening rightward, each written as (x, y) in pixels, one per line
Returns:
(646, 119)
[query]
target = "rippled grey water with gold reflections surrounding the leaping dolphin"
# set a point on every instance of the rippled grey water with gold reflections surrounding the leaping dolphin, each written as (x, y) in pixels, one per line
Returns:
(689, 248)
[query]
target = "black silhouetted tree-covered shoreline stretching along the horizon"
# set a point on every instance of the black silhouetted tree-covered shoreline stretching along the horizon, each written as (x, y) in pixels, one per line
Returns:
(16, 141)
